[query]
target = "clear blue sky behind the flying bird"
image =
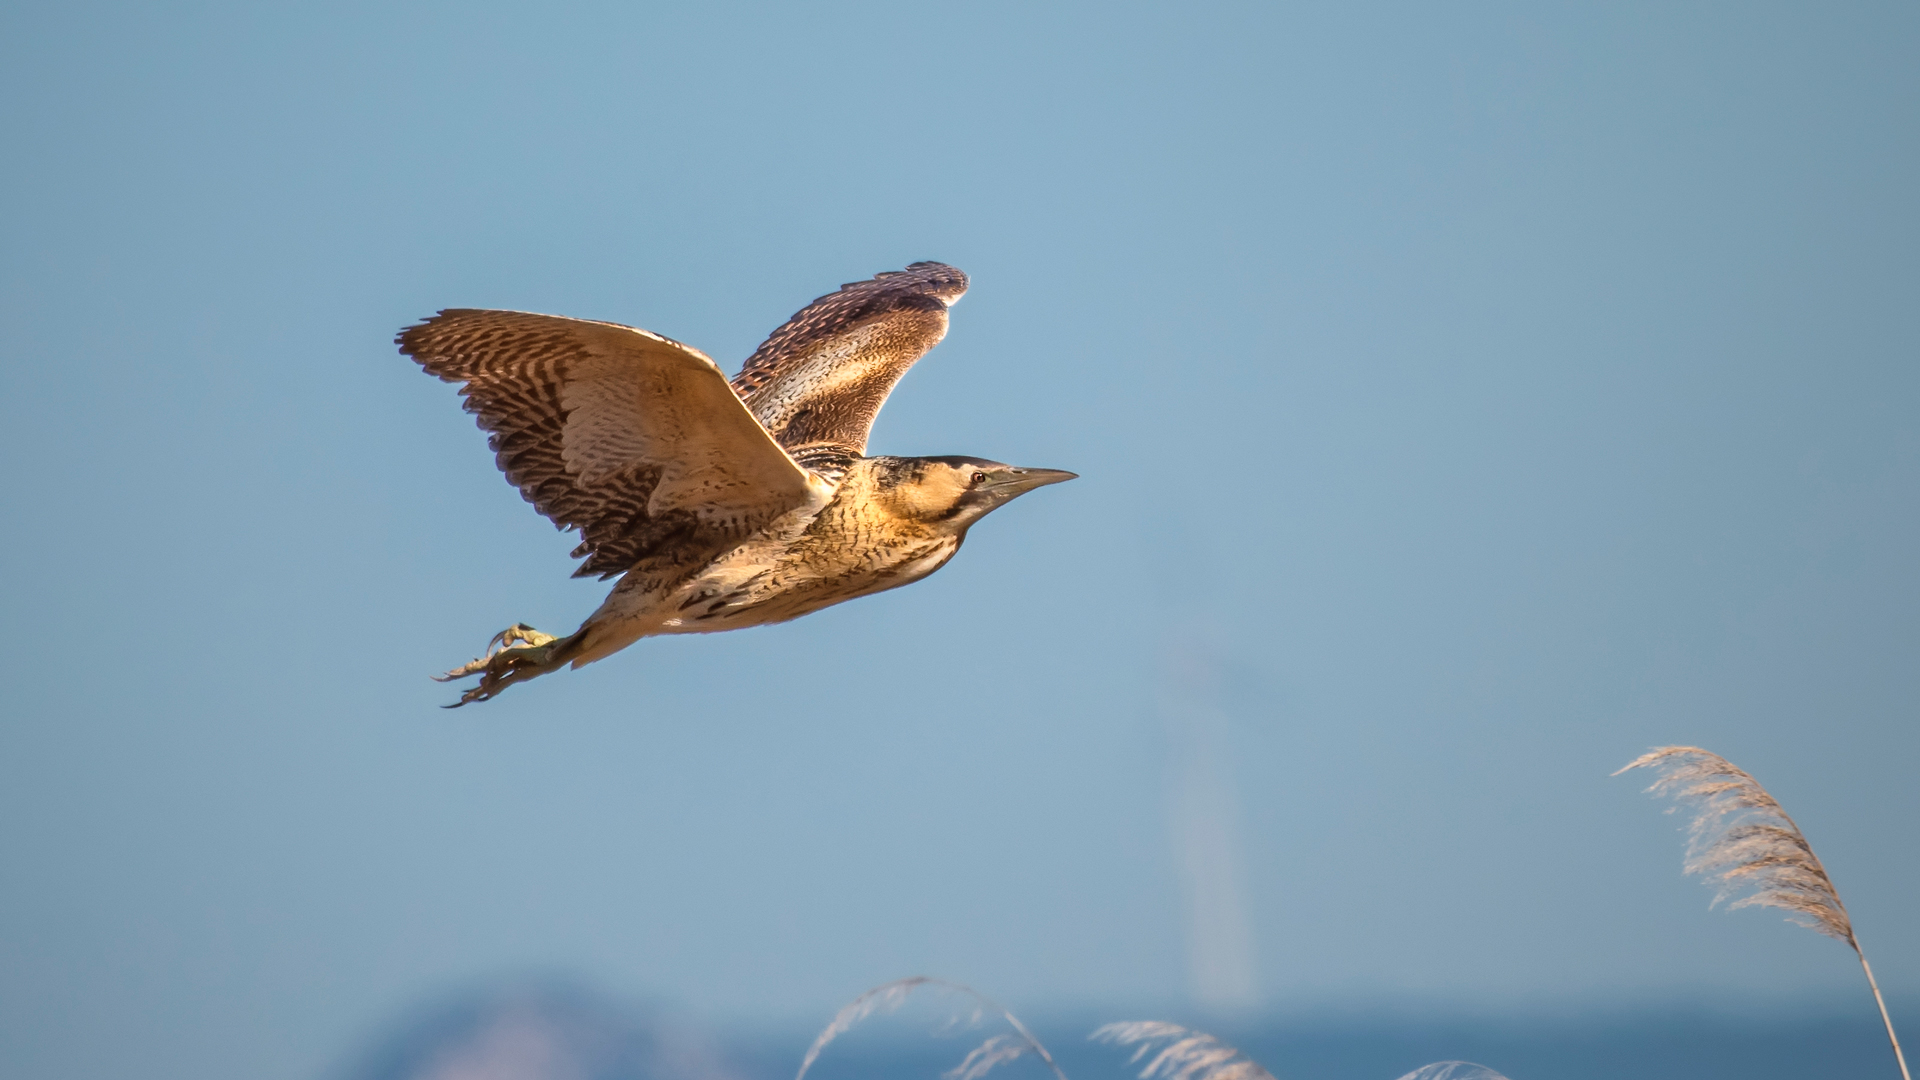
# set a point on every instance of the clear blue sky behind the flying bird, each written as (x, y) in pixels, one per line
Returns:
(1489, 393)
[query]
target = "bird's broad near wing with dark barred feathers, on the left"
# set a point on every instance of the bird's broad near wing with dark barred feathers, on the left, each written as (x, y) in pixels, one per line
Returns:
(629, 437)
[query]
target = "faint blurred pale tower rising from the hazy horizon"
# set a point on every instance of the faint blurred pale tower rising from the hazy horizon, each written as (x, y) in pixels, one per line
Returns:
(1205, 823)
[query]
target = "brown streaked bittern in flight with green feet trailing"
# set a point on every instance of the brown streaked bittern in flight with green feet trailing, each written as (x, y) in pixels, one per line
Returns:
(717, 504)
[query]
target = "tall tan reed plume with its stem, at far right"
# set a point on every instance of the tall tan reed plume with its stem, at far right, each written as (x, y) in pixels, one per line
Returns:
(1750, 850)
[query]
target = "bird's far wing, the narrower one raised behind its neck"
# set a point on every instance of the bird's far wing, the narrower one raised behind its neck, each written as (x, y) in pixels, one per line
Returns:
(821, 380)
